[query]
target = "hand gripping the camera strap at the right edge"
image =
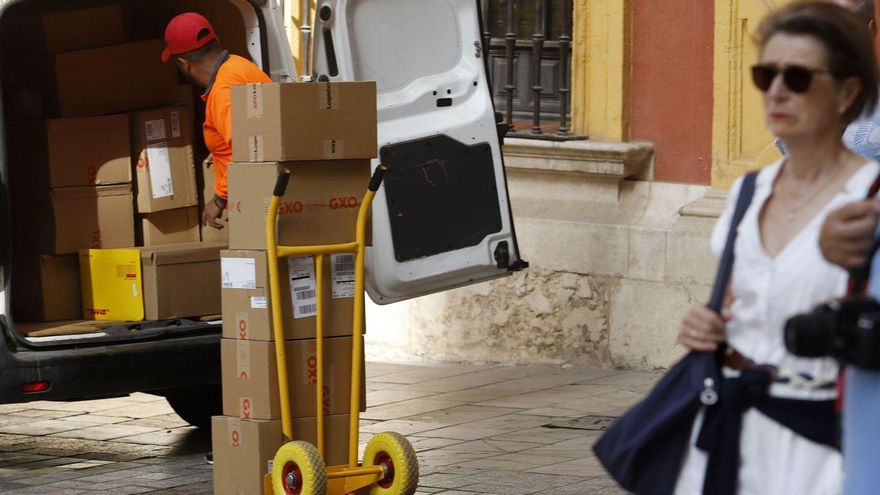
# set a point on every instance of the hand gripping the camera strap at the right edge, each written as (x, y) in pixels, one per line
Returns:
(848, 231)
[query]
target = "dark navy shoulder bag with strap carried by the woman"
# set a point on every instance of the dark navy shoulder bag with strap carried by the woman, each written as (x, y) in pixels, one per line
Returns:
(643, 449)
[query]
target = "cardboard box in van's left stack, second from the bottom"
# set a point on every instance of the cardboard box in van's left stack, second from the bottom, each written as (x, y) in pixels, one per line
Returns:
(67, 219)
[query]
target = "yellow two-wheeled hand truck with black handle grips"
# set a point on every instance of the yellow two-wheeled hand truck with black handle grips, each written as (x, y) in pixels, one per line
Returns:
(390, 466)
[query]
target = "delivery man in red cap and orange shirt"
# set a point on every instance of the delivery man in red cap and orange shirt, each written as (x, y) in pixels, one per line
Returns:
(196, 50)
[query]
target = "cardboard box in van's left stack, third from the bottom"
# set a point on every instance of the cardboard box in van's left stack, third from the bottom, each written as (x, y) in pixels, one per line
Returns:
(86, 151)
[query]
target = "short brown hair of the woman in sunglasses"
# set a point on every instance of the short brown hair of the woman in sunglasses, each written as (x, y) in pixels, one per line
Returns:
(848, 45)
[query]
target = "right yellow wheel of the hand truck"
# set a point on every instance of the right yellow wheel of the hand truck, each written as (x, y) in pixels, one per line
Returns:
(395, 453)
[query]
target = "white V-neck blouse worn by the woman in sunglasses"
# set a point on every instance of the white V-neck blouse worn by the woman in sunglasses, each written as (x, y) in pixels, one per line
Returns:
(768, 290)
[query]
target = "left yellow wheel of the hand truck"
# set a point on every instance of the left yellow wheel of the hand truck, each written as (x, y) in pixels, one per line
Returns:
(298, 470)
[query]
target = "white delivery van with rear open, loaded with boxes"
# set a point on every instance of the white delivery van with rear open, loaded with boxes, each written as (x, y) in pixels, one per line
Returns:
(441, 220)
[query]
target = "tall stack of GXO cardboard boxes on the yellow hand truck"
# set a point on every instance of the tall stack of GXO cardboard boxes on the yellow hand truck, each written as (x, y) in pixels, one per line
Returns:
(325, 135)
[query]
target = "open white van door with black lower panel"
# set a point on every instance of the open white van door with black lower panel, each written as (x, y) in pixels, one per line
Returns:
(443, 218)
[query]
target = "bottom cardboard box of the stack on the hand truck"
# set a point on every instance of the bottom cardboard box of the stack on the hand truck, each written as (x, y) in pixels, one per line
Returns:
(243, 449)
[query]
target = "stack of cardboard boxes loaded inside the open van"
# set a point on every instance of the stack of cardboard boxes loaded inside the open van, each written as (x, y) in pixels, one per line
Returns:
(99, 133)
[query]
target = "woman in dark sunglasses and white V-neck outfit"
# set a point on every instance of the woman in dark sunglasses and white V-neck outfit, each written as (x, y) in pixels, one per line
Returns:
(817, 73)
